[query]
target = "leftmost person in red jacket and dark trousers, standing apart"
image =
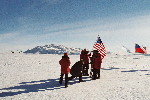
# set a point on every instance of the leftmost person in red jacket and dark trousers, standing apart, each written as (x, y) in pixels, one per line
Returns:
(65, 63)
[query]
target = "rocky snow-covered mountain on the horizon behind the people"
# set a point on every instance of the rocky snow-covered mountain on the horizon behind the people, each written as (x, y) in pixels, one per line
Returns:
(54, 49)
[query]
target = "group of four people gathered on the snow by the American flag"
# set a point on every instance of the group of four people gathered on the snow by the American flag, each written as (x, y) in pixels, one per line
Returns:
(81, 67)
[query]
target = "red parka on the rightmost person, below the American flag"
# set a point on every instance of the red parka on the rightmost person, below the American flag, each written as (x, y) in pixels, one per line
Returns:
(97, 61)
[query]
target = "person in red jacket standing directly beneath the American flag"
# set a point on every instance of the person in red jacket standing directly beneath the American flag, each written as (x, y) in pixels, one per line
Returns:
(96, 64)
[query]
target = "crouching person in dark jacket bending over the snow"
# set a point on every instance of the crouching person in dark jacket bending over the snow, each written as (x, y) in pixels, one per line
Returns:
(76, 70)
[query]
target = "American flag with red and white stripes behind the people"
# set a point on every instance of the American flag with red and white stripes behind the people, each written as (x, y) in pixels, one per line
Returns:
(100, 47)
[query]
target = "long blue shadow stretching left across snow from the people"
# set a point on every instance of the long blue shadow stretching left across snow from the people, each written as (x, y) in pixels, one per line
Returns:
(35, 86)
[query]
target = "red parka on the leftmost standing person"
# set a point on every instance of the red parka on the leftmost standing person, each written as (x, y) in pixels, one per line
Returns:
(65, 63)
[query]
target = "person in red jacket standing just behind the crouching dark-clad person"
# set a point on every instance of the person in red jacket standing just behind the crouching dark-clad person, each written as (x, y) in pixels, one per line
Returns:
(85, 56)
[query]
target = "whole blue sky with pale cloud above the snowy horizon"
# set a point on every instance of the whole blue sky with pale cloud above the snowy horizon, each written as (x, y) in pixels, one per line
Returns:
(74, 23)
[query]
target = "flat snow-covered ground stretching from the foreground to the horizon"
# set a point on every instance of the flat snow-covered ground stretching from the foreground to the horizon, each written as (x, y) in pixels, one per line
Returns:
(36, 76)
